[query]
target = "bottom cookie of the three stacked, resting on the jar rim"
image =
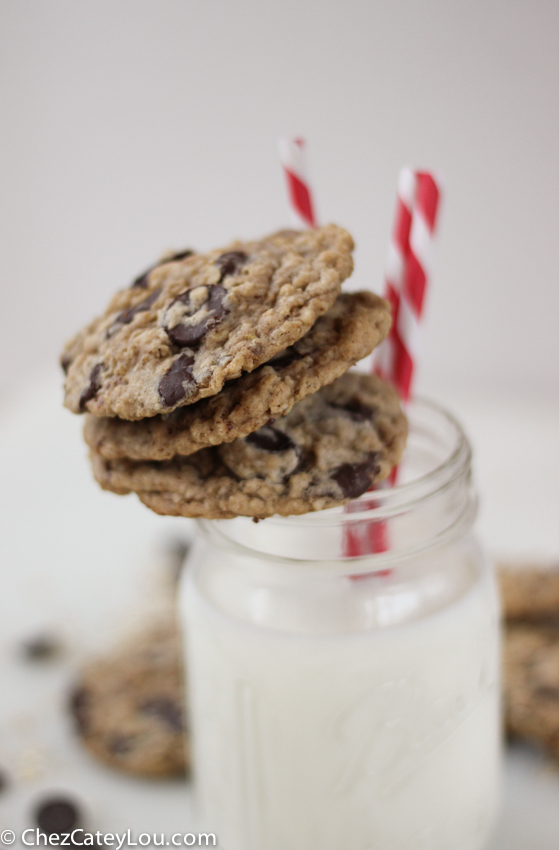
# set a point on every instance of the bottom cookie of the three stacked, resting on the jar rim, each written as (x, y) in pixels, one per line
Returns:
(329, 449)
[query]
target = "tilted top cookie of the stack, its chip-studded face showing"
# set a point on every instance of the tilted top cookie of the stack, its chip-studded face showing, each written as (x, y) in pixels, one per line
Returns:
(192, 323)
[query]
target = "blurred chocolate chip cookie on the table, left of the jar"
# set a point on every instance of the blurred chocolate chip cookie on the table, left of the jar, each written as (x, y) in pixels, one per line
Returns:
(129, 706)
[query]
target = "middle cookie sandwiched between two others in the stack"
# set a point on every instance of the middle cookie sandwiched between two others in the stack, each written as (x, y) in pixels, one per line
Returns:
(349, 331)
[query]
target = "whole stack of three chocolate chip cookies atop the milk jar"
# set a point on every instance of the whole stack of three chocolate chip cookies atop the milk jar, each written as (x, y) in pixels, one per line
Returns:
(217, 384)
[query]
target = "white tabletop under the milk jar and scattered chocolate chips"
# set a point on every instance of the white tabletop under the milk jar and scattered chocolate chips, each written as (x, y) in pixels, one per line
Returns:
(83, 564)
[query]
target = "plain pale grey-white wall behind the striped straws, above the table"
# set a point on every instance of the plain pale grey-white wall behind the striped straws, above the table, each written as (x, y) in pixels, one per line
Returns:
(129, 127)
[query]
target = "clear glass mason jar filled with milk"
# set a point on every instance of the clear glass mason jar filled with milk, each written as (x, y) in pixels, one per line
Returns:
(343, 666)
